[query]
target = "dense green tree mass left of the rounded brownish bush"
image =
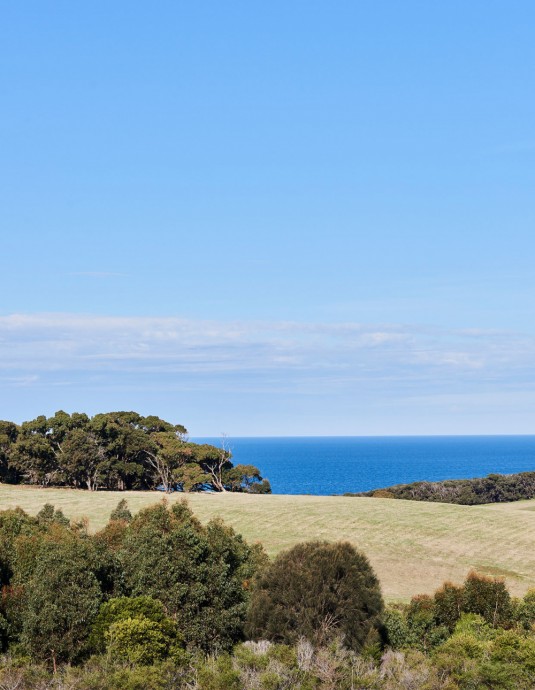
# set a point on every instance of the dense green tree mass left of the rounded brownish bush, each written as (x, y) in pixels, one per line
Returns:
(160, 576)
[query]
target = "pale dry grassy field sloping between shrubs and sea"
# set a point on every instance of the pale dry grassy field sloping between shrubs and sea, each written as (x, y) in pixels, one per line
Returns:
(413, 546)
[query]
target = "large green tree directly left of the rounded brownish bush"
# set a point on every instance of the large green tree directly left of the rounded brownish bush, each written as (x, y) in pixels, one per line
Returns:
(198, 573)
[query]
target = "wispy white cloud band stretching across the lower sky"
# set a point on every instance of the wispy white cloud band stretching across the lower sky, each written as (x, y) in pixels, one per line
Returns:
(278, 353)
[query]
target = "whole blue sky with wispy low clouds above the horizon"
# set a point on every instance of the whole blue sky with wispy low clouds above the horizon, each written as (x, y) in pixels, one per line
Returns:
(270, 218)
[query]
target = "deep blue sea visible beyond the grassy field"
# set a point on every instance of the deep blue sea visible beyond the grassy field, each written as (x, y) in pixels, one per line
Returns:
(333, 465)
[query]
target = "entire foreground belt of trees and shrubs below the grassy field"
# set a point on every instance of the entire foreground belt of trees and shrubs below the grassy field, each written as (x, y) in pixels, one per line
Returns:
(160, 602)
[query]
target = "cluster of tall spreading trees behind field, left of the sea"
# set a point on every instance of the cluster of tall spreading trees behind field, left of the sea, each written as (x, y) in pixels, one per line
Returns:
(117, 451)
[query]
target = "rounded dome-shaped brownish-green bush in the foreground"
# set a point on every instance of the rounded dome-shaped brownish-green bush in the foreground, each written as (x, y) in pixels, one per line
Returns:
(319, 591)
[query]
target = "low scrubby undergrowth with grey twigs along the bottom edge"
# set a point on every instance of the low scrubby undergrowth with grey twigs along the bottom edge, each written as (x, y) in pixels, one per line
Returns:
(470, 659)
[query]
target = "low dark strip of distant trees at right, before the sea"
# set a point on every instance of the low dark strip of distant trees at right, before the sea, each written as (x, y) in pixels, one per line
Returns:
(495, 488)
